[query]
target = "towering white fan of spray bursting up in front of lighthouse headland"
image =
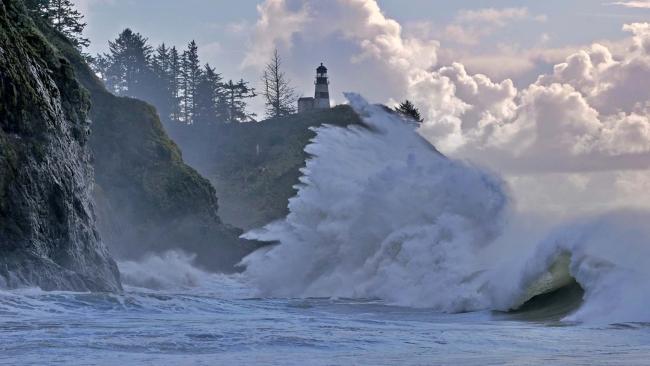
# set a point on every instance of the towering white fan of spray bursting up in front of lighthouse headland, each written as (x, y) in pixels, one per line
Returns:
(381, 213)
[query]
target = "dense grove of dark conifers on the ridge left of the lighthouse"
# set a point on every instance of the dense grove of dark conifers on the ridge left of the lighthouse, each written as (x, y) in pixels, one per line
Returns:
(174, 81)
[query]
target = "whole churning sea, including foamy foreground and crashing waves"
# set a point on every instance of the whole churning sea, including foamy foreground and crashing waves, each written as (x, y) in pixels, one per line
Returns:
(392, 253)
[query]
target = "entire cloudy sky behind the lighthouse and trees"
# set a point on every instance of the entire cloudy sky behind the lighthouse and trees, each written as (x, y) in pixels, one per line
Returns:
(551, 94)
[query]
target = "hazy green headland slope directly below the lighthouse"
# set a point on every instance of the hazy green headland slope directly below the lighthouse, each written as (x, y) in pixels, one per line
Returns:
(254, 166)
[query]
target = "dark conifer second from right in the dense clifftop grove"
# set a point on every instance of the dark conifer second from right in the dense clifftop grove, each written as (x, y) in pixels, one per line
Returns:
(208, 93)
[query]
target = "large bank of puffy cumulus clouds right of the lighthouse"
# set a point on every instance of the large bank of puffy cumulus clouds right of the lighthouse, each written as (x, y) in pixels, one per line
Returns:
(590, 113)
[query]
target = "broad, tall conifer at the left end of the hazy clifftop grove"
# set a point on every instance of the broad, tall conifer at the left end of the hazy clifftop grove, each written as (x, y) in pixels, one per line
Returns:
(129, 72)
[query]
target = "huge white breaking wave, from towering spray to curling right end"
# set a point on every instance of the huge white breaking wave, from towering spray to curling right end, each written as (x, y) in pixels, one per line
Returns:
(380, 213)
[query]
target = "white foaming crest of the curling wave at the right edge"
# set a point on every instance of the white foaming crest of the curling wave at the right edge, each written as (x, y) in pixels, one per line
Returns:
(609, 256)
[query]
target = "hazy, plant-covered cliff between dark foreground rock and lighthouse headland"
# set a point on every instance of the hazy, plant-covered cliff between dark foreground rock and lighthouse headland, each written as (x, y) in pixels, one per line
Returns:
(148, 200)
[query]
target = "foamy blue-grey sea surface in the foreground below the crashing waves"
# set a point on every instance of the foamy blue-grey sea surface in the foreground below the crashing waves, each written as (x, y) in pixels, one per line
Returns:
(213, 320)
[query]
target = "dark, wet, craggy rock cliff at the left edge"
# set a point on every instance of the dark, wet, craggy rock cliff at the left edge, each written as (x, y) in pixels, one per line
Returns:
(47, 221)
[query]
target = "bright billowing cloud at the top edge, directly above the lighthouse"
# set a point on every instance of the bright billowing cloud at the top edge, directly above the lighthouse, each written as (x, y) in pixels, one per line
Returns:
(361, 22)
